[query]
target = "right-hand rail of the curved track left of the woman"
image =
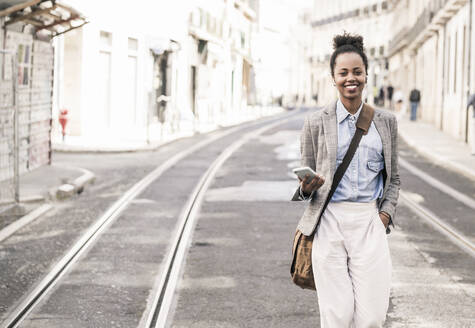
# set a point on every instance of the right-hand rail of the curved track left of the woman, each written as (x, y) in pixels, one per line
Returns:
(156, 314)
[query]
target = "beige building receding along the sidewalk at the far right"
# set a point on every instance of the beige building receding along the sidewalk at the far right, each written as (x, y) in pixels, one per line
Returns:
(430, 48)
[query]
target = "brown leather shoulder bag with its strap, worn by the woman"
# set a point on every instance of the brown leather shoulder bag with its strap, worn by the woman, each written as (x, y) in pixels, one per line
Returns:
(301, 268)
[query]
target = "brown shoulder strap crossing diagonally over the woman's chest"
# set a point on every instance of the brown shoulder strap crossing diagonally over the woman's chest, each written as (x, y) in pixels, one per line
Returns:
(362, 126)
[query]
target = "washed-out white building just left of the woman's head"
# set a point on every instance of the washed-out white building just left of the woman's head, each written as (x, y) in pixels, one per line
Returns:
(281, 54)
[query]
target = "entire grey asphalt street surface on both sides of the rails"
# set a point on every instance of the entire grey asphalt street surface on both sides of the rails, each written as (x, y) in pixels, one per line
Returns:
(236, 273)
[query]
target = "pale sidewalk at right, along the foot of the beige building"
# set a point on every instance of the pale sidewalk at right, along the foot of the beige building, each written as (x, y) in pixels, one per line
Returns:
(441, 148)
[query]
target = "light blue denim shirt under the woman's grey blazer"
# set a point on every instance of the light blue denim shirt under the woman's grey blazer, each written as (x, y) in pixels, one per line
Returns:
(363, 180)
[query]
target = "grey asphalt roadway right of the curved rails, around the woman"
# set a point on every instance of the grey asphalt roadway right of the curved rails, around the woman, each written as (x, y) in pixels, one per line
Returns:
(236, 273)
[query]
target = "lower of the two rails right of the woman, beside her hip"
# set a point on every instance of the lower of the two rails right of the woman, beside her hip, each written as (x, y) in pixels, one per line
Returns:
(456, 237)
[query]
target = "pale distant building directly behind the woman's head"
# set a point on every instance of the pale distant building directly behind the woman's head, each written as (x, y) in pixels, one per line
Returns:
(368, 18)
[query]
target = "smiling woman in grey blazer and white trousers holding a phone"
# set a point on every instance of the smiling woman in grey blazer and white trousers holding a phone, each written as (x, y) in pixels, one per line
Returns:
(350, 255)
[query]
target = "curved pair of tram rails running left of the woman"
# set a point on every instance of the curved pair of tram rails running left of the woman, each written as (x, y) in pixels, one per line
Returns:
(54, 276)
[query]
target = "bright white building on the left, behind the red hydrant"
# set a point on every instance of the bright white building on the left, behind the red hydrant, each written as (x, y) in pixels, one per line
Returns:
(107, 70)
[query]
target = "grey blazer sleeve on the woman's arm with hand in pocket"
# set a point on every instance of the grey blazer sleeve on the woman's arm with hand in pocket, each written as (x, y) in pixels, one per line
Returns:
(392, 194)
